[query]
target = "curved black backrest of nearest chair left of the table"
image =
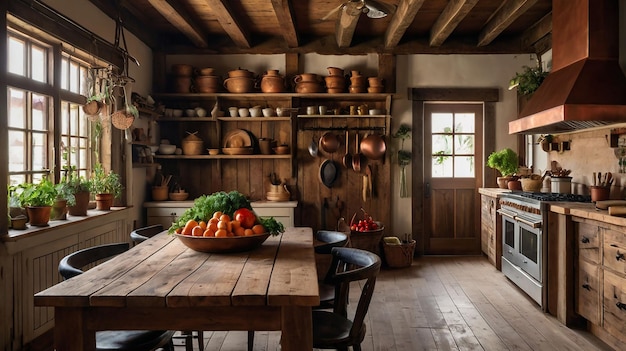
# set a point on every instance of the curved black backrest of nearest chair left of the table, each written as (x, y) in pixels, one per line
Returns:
(72, 264)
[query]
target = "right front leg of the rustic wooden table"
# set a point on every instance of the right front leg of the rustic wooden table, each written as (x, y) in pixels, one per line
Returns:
(297, 328)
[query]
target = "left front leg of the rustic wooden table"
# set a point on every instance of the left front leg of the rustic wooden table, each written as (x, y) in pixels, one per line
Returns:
(70, 332)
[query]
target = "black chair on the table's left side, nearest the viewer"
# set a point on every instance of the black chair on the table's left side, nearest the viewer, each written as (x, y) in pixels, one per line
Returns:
(131, 340)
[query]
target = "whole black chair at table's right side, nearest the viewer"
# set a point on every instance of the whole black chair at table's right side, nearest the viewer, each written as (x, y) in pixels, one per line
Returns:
(333, 329)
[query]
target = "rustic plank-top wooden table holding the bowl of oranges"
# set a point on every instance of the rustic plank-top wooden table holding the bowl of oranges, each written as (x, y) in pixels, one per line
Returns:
(163, 285)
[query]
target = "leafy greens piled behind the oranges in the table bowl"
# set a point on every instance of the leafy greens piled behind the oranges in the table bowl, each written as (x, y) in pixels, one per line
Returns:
(204, 207)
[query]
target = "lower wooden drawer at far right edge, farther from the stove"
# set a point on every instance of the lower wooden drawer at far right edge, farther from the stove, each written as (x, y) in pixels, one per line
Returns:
(615, 305)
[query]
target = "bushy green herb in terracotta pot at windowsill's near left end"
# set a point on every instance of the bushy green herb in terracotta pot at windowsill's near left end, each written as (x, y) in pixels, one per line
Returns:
(37, 199)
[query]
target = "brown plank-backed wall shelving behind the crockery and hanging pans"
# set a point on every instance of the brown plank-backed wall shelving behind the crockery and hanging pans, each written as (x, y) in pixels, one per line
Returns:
(249, 174)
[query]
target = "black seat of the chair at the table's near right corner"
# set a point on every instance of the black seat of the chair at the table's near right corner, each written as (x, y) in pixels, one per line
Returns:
(331, 330)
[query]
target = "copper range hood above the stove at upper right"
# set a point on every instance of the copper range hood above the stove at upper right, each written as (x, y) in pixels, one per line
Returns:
(586, 87)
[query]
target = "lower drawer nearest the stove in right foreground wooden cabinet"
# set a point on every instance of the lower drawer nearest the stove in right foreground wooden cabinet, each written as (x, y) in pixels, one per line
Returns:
(588, 295)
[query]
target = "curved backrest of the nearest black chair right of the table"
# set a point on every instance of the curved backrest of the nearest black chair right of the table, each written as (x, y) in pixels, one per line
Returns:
(348, 265)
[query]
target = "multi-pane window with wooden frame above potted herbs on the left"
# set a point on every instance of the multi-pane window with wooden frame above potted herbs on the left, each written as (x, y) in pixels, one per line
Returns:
(33, 119)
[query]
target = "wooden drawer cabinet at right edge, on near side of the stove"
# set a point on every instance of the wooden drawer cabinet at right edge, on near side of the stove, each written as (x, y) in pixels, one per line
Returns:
(600, 286)
